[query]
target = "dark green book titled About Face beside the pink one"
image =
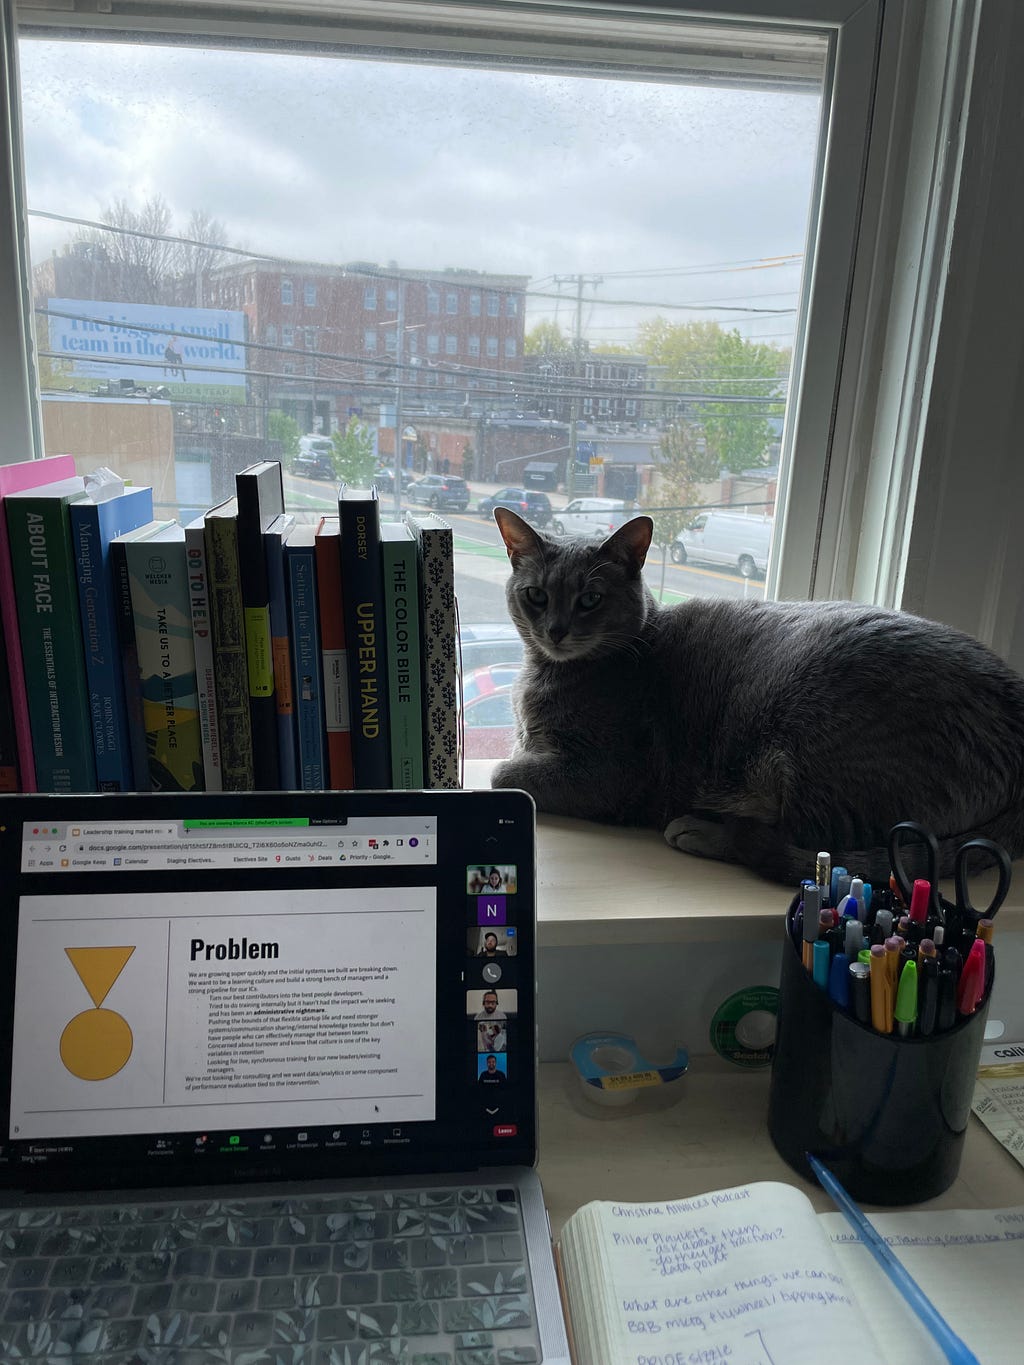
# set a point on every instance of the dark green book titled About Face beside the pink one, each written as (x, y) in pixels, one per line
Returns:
(51, 638)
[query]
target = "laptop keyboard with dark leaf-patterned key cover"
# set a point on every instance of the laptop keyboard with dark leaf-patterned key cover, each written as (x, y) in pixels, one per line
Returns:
(432, 1277)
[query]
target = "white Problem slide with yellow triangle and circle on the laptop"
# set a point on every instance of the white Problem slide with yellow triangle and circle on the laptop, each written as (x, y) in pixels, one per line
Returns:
(223, 1011)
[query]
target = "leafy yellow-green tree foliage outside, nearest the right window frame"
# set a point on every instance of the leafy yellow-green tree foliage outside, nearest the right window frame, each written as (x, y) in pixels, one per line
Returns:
(707, 361)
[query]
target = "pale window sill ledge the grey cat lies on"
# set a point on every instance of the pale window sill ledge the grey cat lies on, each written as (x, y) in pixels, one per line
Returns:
(600, 885)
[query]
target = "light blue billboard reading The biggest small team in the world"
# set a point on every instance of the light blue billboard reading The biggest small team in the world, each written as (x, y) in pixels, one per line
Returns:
(196, 354)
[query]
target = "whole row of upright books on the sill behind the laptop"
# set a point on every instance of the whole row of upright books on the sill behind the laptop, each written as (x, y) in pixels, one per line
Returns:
(242, 652)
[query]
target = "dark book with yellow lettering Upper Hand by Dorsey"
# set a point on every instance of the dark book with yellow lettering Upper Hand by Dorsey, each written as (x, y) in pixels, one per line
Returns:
(362, 593)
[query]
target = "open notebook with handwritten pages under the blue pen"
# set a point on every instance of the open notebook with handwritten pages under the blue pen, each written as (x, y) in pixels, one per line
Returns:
(753, 1276)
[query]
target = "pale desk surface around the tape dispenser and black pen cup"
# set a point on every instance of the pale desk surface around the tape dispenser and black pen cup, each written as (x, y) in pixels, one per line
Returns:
(713, 1138)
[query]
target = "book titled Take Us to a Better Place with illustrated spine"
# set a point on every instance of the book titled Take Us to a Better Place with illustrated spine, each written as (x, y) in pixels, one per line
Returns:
(160, 599)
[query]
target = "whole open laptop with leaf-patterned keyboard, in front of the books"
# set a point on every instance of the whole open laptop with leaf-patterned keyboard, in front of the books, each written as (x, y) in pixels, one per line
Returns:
(270, 1082)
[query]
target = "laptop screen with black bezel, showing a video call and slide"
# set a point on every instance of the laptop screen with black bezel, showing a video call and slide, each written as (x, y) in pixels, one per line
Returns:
(245, 986)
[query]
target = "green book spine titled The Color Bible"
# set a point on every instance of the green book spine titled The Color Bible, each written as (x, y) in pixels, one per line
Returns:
(405, 665)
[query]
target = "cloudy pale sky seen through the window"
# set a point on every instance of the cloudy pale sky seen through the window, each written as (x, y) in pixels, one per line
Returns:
(671, 195)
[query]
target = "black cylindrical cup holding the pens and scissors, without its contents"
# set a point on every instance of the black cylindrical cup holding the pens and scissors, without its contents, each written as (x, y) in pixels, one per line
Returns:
(887, 1115)
